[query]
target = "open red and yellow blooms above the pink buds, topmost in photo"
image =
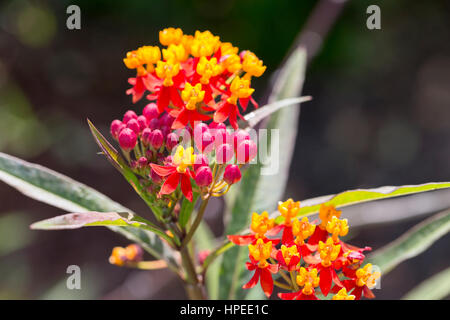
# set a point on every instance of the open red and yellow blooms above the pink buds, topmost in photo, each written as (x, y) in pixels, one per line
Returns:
(194, 78)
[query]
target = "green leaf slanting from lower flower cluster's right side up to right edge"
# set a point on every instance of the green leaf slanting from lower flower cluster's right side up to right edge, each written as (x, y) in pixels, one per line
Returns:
(412, 243)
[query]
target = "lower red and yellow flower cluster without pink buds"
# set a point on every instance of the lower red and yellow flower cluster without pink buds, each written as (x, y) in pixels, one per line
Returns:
(310, 257)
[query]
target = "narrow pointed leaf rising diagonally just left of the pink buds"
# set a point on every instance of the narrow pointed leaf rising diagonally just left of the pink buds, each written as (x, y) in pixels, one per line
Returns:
(120, 164)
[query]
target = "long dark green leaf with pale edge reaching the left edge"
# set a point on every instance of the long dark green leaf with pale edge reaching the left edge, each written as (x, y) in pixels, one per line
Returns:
(57, 190)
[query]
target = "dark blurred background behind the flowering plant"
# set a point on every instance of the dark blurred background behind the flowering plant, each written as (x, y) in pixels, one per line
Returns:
(380, 116)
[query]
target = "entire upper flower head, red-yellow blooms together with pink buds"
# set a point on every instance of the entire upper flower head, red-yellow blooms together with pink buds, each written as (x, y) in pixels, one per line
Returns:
(195, 84)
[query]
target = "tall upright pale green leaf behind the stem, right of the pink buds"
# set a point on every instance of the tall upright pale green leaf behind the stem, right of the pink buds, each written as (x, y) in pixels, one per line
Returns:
(257, 191)
